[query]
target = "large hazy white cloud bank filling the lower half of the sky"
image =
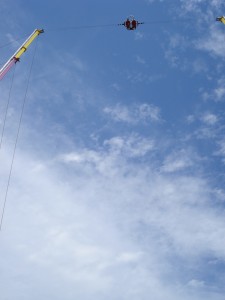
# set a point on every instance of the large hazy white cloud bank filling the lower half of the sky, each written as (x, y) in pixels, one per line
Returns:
(83, 228)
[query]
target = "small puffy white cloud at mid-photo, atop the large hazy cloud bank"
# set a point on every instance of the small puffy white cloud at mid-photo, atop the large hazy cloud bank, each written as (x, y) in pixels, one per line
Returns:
(103, 160)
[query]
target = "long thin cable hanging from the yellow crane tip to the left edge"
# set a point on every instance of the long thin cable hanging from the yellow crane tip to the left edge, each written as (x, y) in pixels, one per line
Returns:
(17, 137)
